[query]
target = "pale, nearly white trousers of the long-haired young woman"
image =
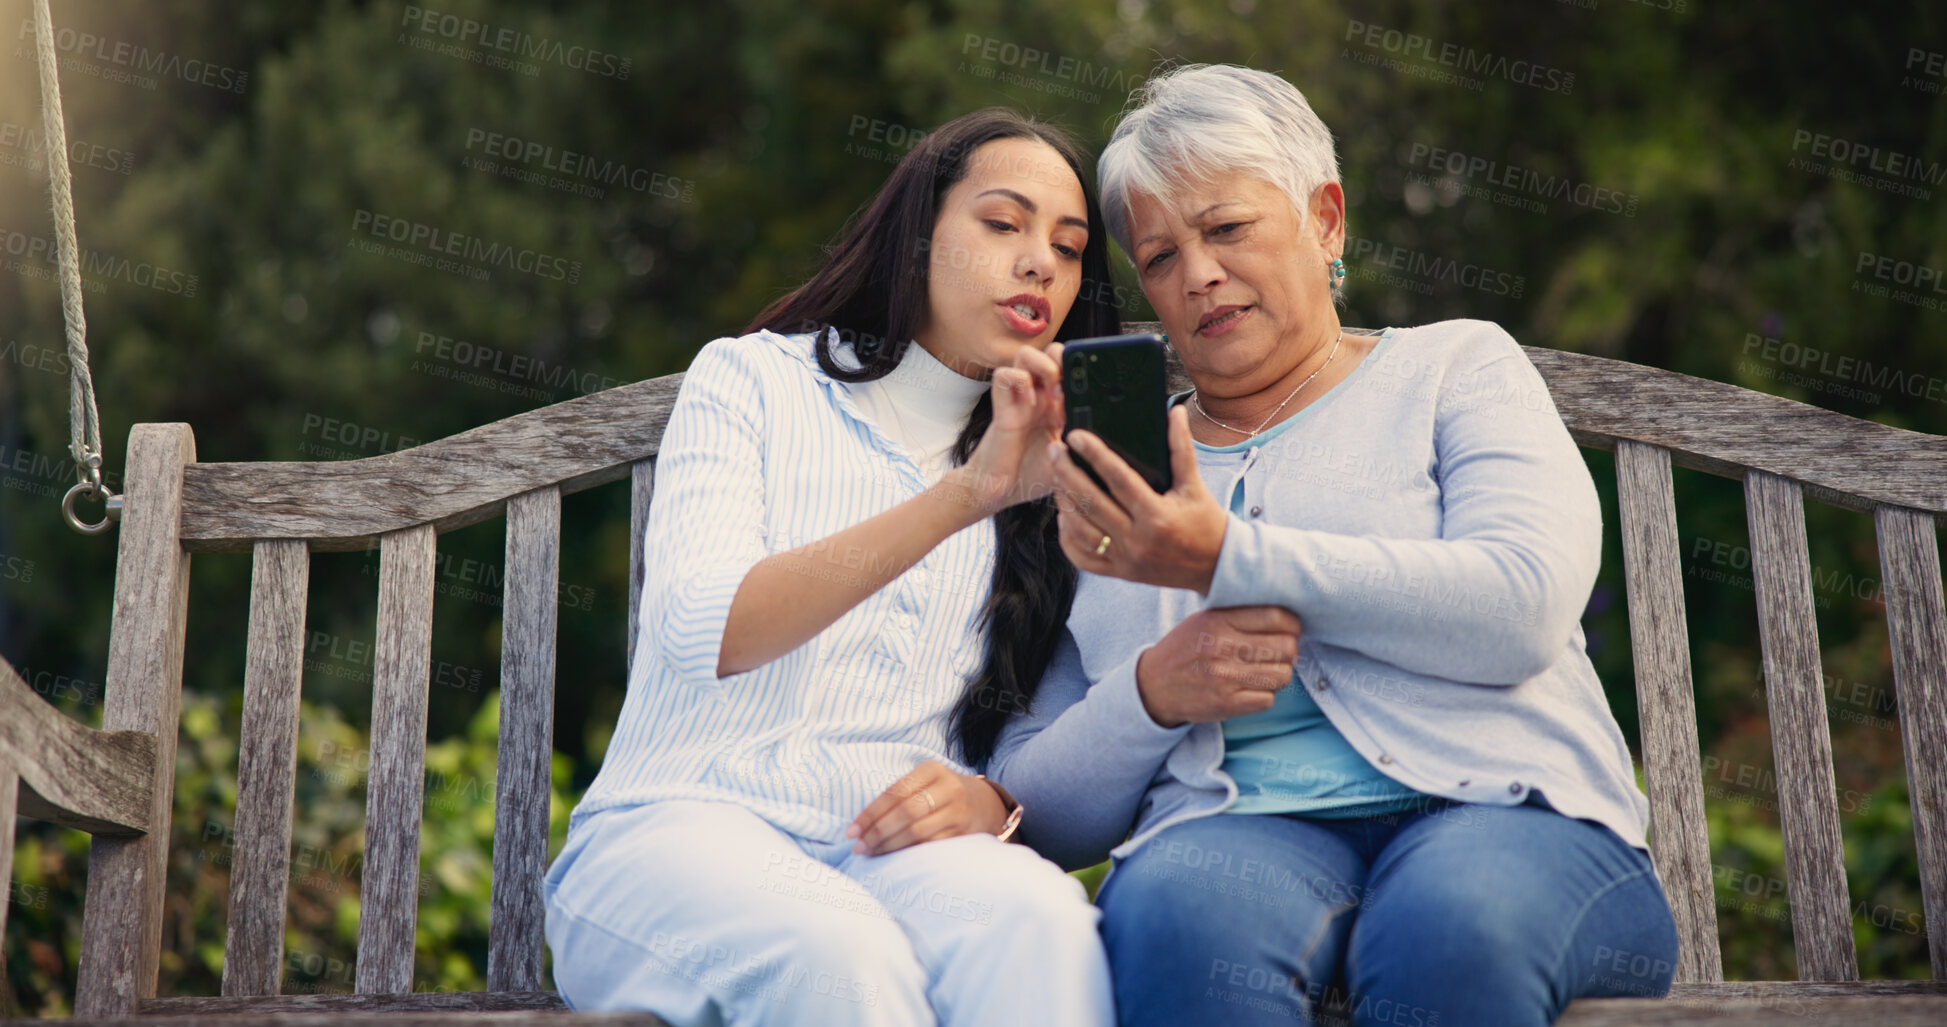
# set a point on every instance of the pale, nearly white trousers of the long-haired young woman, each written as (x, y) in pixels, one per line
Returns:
(708, 915)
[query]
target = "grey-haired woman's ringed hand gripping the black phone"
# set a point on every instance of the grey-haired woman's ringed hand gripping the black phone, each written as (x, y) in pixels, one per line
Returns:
(1159, 539)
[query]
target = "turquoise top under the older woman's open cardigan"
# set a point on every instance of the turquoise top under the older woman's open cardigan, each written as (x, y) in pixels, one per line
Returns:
(1290, 759)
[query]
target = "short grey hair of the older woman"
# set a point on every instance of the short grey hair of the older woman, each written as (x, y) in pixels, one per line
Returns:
(1198, 122)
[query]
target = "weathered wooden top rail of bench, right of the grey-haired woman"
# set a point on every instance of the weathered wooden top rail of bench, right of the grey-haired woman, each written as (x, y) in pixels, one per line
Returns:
(1724, 430)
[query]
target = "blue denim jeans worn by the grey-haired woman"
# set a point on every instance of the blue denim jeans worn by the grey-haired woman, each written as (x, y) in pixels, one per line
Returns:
(1442, 917)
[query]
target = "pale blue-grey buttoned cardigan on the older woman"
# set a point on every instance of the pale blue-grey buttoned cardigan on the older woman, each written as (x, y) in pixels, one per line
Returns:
(1438, 533)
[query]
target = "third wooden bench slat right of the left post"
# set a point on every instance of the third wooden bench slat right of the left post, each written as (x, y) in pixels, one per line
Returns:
(515, 940)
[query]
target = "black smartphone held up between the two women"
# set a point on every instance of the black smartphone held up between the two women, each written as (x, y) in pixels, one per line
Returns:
(1117, 387)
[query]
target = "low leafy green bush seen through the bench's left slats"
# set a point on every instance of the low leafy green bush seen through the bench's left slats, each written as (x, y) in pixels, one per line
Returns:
(326, 864)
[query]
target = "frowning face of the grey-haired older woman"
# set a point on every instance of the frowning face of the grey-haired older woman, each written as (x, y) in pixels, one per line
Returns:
(1233, 276)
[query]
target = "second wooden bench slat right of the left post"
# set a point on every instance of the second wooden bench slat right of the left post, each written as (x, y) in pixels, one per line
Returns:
(388, 903)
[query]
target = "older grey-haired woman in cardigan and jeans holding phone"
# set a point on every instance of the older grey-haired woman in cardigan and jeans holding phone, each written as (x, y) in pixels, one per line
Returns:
(1327, 703)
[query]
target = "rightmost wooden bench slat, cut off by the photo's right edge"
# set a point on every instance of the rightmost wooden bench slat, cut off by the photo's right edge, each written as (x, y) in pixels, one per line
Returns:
(1911, 570)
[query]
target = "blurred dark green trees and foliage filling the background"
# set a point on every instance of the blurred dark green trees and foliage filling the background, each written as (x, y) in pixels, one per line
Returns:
(1675, 184)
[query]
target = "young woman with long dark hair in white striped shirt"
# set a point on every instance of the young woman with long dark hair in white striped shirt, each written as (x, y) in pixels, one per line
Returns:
(854, 578)
